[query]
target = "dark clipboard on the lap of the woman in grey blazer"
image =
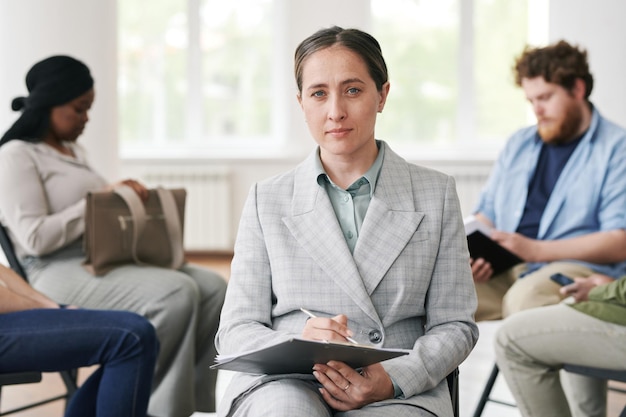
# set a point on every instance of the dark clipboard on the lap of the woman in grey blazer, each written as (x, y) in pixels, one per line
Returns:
(297, 356)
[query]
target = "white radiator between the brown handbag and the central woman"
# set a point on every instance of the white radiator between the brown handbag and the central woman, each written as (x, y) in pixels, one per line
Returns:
(208, 208)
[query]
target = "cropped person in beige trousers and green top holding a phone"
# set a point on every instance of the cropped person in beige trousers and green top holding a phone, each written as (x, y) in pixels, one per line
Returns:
(532, 346)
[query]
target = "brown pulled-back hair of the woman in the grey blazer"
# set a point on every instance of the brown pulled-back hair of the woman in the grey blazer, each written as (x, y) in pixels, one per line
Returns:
(359, 42)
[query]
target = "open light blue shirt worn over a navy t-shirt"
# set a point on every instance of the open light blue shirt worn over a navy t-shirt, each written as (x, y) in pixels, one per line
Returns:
(588, 197)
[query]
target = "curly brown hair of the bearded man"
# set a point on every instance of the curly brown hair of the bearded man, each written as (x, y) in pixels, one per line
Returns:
(559, 63)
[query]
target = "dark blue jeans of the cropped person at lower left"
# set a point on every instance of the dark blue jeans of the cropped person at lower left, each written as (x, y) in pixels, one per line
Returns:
(123, 343)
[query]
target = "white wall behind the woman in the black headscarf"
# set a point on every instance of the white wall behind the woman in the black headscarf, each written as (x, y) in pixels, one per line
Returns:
(31, 30)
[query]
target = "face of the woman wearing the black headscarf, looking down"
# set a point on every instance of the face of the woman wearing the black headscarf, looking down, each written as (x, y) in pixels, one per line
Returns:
(68, 120)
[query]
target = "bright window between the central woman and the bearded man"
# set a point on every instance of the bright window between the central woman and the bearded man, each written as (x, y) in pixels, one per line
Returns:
(450, 65)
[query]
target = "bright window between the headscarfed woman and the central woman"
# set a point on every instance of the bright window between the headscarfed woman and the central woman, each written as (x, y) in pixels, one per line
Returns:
(194, 74)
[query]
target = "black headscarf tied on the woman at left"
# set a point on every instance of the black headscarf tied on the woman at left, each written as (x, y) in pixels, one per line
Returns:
(52, 82)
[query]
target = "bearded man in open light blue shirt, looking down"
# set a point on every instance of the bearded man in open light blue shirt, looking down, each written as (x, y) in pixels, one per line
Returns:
(557, 193)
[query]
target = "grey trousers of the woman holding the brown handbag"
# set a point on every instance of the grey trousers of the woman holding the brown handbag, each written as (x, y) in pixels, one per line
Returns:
(183, 306)
